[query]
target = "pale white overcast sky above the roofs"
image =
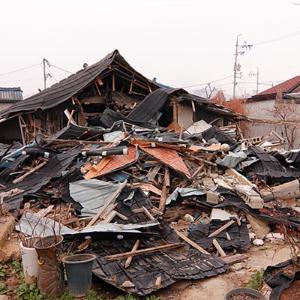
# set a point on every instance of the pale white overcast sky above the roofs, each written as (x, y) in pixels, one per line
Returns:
(181, 42)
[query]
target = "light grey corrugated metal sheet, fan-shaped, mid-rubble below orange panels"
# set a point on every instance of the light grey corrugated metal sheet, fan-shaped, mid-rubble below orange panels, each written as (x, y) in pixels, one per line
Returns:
(92, 194)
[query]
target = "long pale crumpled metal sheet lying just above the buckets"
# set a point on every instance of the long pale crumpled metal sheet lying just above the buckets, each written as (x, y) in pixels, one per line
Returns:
(34, 225)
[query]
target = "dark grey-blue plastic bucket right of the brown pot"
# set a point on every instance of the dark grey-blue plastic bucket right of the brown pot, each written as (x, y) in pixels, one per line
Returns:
(79, 273)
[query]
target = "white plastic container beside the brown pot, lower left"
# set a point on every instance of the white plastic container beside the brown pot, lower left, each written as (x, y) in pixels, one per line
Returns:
(29, 262)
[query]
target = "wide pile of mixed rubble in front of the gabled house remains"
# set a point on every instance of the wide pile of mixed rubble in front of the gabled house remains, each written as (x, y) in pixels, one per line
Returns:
(154, 205)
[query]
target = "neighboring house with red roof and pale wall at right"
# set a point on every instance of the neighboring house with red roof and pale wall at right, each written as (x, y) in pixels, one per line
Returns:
(273, 108)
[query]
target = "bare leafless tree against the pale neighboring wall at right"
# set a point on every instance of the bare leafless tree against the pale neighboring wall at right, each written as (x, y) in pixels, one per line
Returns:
(285, 110)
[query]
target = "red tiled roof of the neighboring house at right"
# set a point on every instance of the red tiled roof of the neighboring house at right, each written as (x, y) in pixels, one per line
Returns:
(289, 86)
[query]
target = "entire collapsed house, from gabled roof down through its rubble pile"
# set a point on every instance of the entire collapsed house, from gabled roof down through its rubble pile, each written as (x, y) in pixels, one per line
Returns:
(141, 176)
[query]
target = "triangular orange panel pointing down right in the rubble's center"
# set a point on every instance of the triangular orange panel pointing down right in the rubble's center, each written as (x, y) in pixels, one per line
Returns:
(168, 157)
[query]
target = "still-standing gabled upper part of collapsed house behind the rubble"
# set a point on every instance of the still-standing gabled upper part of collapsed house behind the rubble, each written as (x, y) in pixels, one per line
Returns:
(99, 95)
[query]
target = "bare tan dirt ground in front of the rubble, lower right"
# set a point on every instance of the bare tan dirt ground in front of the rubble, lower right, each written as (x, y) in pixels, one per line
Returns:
(215, 288)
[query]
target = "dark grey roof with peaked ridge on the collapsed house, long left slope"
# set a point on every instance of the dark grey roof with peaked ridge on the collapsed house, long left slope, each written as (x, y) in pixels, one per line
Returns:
(65, 89)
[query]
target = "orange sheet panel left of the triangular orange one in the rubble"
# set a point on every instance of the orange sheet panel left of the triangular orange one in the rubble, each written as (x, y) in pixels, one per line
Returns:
(113, 163)
